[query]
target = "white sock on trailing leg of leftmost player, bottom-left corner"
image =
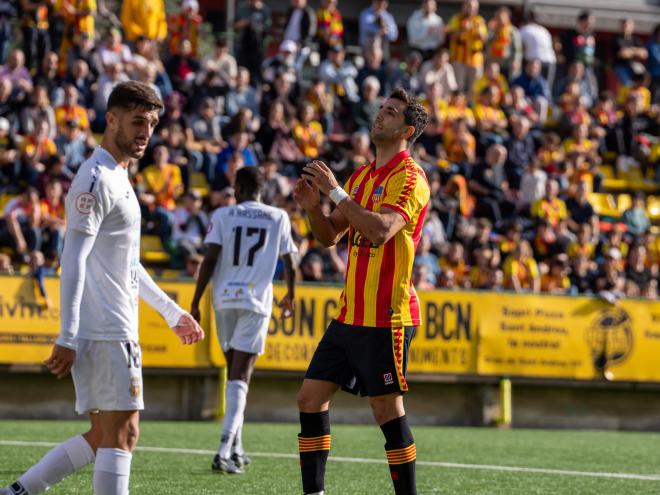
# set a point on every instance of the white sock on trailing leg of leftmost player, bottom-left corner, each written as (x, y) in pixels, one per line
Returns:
(67, 457)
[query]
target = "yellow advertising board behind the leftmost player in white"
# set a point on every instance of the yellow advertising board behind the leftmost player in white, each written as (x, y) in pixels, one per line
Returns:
(28, 330)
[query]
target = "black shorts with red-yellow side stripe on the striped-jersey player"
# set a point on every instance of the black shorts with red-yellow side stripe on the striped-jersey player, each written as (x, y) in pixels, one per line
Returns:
(368, 360)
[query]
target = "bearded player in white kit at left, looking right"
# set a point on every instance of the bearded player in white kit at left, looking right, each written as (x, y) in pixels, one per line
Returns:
(101, 281)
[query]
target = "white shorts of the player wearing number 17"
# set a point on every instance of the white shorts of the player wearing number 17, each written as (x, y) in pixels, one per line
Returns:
(242, 330)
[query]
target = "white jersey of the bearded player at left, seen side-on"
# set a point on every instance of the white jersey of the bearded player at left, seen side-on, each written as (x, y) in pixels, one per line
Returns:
(101, 203)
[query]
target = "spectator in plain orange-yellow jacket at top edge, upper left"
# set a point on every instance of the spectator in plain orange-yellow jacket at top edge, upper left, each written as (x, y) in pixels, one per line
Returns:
(144, 18)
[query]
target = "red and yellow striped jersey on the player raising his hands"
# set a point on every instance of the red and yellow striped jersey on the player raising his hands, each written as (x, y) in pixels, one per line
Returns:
(378, 290)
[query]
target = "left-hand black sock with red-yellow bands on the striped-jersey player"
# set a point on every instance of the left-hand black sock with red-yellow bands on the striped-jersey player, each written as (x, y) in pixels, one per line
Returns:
(314, 447)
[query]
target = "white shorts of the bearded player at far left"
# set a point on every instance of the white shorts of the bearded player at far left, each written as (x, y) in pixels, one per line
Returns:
(107, 376)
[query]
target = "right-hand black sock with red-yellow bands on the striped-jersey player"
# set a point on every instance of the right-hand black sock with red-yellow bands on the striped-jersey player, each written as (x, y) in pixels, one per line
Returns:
(401, 454)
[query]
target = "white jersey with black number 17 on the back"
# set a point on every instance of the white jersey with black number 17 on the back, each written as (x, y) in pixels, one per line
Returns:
(252, 235)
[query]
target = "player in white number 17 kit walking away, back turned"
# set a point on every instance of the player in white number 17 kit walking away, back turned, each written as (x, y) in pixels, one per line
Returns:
(244, 243)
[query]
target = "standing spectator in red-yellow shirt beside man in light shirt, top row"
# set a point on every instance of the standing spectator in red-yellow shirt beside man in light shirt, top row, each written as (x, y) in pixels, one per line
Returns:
(467, 35)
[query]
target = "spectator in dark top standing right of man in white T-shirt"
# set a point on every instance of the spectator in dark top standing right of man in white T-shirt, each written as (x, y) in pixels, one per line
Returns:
(580, 44)
